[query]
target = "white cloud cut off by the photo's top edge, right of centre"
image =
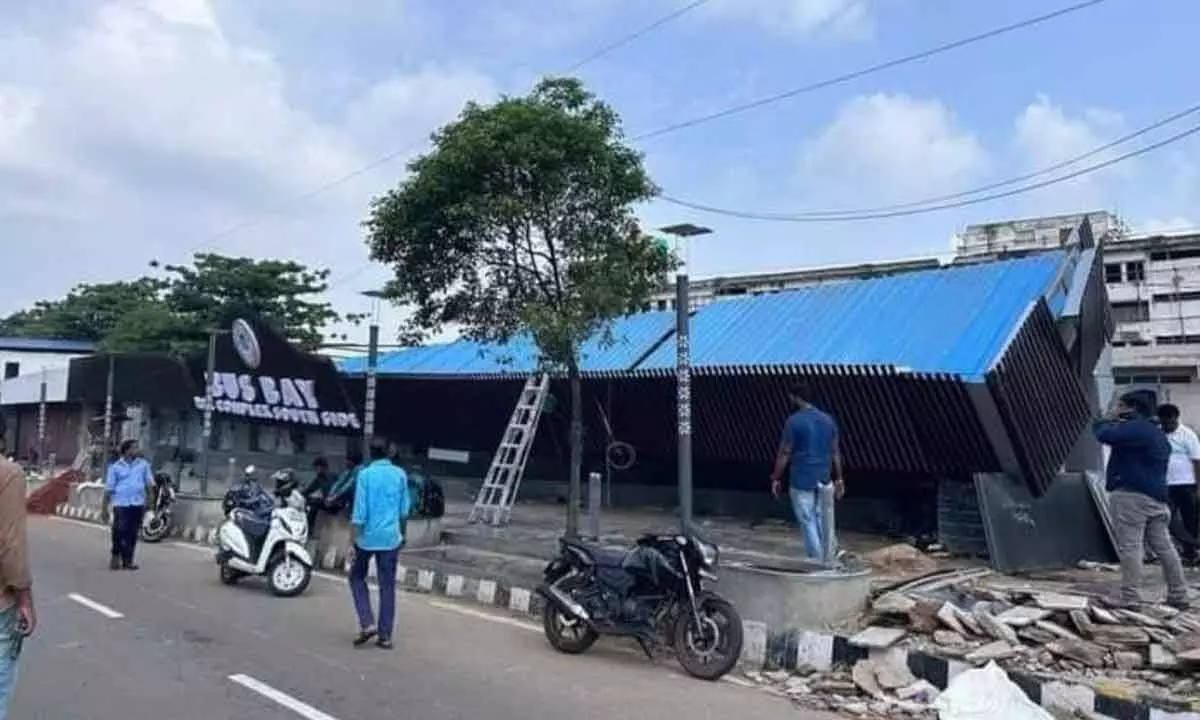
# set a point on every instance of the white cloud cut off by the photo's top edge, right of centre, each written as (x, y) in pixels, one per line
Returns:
(851, 20)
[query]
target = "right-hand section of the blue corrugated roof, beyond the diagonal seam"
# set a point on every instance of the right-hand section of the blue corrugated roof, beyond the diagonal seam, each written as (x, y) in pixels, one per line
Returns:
(953, 320)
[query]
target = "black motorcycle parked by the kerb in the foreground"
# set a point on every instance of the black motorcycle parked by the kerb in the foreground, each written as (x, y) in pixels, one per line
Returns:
(653, 593)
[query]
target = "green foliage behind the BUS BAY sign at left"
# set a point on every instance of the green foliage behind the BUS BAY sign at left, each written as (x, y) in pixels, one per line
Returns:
(175, 313)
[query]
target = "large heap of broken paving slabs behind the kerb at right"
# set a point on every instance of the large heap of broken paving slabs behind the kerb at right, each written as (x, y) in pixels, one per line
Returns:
(1069, 637)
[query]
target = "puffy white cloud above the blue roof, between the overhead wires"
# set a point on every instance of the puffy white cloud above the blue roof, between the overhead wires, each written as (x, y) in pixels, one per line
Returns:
(890, 149)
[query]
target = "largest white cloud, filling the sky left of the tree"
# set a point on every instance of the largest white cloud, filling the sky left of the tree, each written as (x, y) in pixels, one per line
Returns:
(145, 128)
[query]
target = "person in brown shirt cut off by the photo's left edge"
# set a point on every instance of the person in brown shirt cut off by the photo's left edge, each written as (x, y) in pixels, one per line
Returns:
(17, 615)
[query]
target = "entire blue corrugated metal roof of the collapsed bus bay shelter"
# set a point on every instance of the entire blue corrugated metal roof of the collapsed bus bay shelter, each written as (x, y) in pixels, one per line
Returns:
(953, 320)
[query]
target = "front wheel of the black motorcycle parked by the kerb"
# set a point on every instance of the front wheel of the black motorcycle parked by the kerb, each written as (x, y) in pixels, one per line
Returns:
(710, 651)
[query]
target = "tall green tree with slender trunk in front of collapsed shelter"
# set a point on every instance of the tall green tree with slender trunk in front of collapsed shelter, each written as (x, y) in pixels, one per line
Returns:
(521, 221)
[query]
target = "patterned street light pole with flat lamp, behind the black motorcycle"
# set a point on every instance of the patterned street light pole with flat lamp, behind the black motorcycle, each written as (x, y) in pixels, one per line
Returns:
(683, 370)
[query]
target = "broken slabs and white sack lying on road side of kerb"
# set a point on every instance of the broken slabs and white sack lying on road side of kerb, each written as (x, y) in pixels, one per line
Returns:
(874, 689)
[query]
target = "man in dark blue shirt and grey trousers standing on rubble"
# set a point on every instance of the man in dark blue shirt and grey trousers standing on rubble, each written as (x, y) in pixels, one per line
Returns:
(1138, 499)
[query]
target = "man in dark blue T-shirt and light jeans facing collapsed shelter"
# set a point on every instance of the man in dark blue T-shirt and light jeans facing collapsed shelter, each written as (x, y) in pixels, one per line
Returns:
(809, 445)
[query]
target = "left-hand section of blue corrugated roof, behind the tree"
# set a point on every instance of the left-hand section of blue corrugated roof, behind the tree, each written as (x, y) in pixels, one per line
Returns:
(633, 338)
